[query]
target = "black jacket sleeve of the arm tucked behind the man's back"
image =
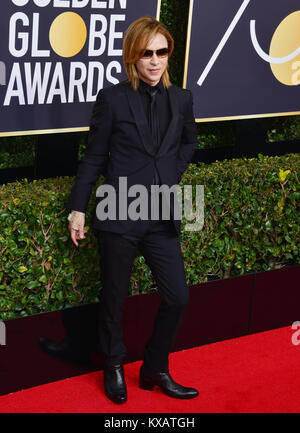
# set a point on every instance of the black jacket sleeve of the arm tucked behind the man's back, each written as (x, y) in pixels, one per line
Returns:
(189, 140)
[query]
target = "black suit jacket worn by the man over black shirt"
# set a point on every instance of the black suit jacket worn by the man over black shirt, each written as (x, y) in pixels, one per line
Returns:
(119, 144)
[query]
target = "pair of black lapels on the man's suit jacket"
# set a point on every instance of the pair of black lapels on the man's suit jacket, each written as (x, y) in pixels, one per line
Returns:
(139, 116)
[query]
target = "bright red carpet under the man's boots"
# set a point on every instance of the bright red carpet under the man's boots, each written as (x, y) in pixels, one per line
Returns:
(256, 373)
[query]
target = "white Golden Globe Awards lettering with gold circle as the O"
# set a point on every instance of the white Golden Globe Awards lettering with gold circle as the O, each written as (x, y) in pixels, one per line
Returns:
(45, 67)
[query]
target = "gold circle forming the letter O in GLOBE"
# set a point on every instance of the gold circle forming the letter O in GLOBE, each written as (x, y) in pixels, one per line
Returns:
(67, 34)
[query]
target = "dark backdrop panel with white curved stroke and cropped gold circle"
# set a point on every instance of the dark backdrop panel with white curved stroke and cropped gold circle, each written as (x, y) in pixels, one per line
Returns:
(243, 58)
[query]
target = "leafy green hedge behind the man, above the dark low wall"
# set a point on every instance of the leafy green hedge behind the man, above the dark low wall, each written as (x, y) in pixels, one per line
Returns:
(251, 224)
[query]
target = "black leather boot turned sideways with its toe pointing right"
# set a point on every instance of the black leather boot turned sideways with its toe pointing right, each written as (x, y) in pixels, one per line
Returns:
(166, 384)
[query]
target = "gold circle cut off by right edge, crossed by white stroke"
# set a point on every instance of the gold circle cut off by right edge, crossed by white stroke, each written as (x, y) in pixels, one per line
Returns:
(286, 39)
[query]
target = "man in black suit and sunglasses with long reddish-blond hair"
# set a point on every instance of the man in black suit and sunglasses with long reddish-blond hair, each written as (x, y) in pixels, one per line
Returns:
(142, 130)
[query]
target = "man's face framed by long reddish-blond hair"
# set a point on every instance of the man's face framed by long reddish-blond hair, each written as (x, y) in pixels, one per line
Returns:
(151, 69)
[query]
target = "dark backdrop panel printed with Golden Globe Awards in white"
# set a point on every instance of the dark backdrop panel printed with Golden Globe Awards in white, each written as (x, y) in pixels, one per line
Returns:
(55, 55)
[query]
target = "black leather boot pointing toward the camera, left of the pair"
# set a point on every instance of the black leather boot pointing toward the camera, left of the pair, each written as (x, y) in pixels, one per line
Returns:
(114, 383)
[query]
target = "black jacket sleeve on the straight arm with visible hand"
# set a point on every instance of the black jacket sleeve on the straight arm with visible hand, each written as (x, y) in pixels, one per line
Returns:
(94, 163)
